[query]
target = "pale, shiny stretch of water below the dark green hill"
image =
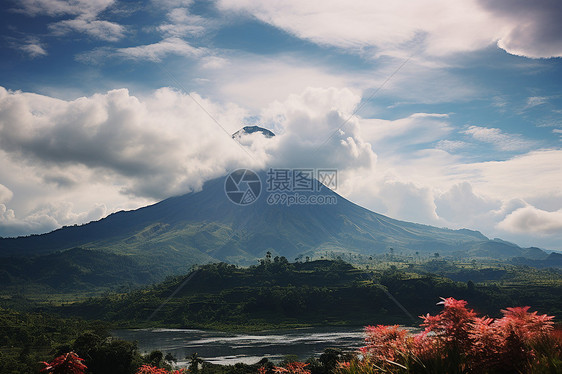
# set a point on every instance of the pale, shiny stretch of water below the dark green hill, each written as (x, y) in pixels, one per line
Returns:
(229, 348)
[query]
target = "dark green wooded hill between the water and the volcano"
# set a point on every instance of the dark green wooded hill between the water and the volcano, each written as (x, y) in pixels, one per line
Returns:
(277, 294)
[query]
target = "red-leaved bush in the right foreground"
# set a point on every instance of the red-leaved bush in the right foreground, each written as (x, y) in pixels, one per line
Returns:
(458, 341)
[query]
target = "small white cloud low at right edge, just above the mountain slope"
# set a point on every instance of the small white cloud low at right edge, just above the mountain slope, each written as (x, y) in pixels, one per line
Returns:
(532, 220)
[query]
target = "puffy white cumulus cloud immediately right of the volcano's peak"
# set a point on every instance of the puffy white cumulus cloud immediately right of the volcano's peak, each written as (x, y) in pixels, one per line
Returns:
(311, 133)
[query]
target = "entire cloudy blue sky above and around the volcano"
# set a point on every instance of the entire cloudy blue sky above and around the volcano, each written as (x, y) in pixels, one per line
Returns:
(446, 113)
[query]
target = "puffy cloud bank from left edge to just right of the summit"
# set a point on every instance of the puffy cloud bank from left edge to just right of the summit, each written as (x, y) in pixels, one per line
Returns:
(114, 147)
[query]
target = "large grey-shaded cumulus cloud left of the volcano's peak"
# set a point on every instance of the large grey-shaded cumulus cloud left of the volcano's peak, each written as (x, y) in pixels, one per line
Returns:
(159, 146)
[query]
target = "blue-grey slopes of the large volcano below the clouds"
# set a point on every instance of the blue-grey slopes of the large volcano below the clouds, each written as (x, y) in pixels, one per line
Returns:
(206, 226)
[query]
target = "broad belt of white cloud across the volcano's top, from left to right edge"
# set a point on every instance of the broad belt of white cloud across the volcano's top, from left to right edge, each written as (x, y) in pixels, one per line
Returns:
(126, 151)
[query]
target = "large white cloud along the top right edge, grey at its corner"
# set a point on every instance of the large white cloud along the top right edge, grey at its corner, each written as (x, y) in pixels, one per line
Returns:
(431, 27)
